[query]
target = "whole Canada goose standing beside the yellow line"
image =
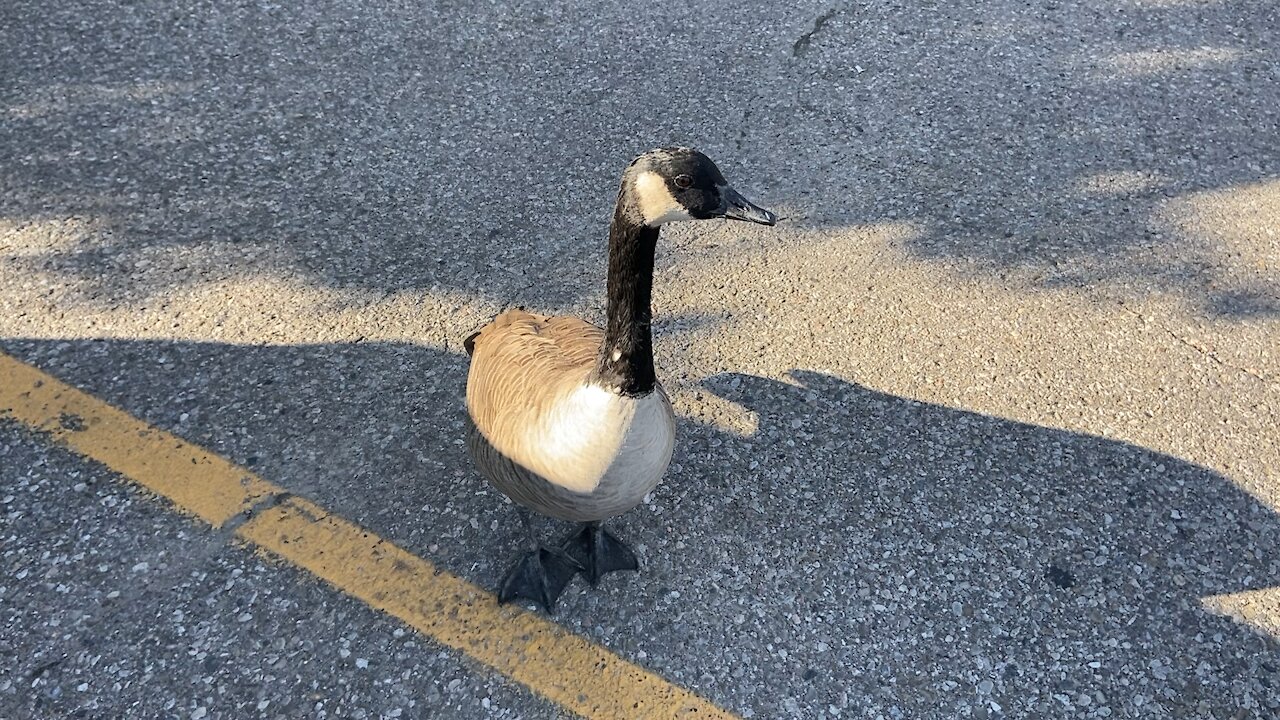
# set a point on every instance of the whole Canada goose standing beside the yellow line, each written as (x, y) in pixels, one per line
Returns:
(568, 420)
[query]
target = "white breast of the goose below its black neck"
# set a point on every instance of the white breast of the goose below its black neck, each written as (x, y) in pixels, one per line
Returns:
(595, 436)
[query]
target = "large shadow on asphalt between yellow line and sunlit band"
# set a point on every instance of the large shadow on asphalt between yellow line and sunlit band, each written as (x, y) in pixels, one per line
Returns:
(857, 550)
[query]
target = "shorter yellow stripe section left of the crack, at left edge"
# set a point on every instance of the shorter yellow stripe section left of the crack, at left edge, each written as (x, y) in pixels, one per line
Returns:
(195, 480)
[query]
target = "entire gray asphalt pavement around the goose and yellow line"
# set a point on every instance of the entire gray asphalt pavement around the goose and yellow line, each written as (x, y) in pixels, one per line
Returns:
(985, 429)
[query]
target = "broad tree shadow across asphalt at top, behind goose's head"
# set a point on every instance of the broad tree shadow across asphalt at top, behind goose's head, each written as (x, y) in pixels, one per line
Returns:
(478, 148)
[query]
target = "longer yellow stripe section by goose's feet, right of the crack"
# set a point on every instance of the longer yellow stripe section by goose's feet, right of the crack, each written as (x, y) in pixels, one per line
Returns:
(566, 669)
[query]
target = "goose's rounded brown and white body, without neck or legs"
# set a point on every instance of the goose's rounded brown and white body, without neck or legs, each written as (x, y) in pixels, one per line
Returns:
(561, 444)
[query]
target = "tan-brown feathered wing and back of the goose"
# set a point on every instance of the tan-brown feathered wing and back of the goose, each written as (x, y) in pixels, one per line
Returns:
(522, 363)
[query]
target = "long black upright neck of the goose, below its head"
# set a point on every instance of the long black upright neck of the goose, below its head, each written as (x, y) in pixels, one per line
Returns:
(627, 357)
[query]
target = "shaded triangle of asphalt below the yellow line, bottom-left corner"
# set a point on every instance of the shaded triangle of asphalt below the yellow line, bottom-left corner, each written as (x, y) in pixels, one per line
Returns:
(115, 608)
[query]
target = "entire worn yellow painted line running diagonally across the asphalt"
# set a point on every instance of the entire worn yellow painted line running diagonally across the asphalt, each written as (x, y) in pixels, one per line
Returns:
(572, 672)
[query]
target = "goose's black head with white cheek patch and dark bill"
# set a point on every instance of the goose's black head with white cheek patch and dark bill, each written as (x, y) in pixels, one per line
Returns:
(680, 184)
